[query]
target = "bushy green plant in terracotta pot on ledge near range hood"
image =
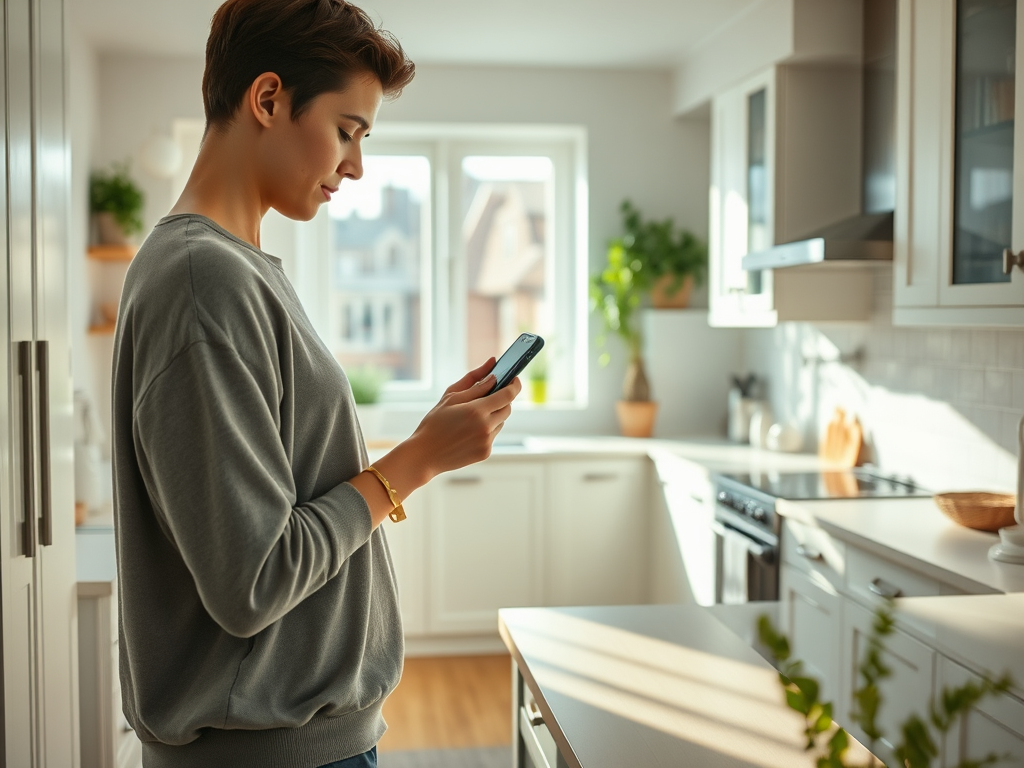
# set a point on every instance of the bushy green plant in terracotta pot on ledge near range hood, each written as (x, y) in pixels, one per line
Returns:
(674, 260)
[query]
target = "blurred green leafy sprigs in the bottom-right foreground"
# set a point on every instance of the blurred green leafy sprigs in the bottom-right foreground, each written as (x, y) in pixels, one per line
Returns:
(920, 737)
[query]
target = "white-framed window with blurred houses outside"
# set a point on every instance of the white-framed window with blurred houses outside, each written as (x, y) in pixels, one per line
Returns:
(454, 243)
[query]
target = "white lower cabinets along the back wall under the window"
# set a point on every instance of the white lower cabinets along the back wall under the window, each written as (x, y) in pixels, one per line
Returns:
(514, 532)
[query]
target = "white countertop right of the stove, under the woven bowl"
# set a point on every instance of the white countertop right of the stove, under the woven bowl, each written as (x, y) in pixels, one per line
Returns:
(913, 532)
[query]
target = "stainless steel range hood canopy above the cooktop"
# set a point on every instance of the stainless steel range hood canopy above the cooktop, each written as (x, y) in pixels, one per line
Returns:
(861, 239)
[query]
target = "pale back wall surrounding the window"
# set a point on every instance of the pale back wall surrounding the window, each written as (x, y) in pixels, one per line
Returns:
(636, 150)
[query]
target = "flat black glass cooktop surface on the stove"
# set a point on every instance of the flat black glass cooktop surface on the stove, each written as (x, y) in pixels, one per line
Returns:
(854, 484)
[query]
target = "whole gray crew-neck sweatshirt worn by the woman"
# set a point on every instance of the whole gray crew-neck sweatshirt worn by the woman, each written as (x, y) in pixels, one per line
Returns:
(260, 621)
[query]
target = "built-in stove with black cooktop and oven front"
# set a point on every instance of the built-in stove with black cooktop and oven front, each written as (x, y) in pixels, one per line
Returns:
(748, 529)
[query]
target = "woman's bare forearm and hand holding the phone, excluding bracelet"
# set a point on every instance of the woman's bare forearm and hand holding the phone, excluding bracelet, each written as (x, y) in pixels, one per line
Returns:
(458, 432)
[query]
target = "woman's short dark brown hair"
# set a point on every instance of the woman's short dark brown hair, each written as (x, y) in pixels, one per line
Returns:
(315, 47)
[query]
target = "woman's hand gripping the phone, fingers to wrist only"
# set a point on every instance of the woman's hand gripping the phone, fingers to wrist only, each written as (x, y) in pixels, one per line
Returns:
(461, 429)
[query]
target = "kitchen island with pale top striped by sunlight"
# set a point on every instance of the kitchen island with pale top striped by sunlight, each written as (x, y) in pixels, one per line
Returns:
(652, 686)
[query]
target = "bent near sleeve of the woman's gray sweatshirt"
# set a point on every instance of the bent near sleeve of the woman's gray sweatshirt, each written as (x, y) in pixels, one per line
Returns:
(208, 438)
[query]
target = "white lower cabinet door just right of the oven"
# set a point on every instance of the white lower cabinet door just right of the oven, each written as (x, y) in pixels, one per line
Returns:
(812, 615)
